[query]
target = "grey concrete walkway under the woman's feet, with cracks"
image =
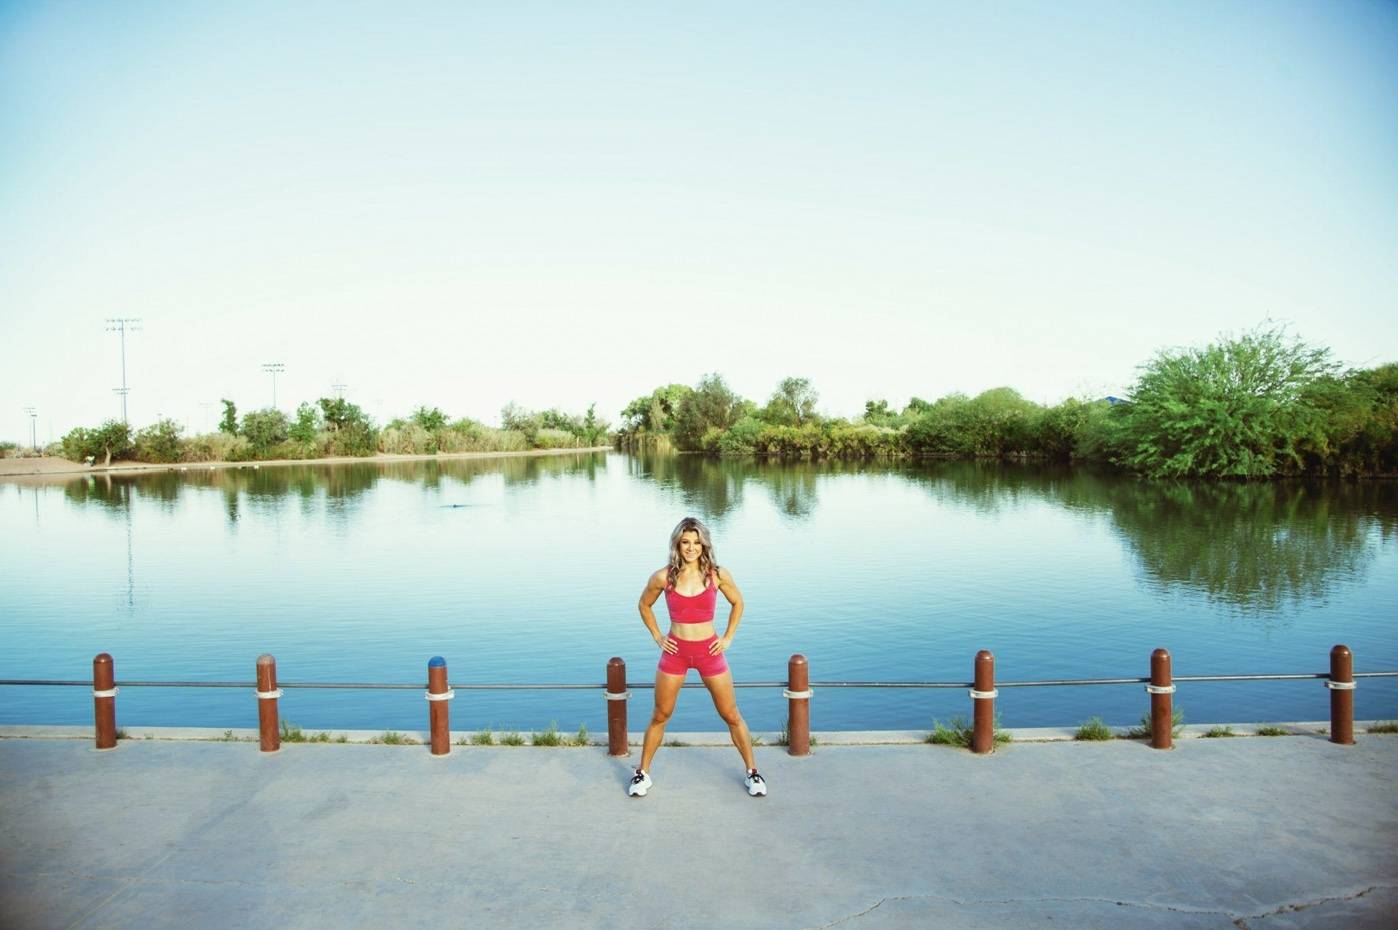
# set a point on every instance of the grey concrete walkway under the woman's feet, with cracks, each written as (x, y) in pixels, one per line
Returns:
(1221, 834)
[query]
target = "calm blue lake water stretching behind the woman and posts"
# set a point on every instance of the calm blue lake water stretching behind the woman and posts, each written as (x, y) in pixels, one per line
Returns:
(529, 570)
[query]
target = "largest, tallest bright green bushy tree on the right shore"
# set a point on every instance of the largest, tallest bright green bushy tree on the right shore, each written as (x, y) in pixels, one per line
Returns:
(1235, 409)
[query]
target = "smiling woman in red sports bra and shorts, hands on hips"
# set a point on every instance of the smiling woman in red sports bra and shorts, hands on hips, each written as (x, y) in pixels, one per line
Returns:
(691, 585)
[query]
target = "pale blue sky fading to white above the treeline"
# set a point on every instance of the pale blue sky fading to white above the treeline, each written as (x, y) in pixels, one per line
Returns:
(465, 205)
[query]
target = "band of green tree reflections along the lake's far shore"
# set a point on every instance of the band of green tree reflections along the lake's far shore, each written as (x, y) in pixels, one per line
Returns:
(1251, 548)
